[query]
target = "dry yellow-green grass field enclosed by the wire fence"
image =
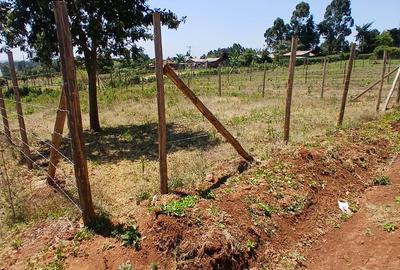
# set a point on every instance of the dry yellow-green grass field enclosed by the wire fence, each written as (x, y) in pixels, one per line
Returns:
(122, 158)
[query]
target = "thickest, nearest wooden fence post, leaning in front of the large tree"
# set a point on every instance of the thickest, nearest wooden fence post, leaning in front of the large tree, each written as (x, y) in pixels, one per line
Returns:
(74, 116)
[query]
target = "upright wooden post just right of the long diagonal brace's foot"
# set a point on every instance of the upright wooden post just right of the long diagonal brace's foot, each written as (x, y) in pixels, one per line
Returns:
(292, 64)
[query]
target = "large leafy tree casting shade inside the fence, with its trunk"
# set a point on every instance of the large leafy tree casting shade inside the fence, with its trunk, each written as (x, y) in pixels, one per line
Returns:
(109, 27)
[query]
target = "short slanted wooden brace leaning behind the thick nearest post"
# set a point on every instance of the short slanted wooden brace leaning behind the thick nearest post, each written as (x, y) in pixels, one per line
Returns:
(57, 137)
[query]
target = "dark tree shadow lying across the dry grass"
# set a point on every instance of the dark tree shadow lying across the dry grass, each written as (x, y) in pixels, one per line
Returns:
(133, 142)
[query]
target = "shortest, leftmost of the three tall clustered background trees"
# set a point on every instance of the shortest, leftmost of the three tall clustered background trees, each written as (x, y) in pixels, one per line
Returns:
(276, 37)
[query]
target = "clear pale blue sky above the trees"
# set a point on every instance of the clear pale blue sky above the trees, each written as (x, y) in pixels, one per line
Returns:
(220, 23)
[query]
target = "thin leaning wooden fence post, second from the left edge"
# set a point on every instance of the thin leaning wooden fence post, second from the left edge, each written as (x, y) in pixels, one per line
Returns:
(21, 120)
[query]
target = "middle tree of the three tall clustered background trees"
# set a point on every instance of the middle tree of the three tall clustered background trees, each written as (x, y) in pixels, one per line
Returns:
(303, 26)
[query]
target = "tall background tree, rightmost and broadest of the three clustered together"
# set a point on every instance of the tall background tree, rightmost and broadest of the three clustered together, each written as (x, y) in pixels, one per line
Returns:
(336, 26)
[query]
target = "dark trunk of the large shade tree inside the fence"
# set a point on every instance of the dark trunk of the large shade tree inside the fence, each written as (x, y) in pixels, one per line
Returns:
(91, 69)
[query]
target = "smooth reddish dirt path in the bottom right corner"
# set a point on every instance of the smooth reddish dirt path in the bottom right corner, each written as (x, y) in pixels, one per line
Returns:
(362, 242)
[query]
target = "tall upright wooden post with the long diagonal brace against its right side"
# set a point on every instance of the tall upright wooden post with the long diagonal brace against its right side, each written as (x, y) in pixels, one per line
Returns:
(162, 126)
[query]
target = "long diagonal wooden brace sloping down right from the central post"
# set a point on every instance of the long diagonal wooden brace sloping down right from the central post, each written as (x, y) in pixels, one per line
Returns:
(170, 73)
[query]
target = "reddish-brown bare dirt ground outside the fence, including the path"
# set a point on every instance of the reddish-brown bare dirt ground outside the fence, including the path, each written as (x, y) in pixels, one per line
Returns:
(279, 214)
